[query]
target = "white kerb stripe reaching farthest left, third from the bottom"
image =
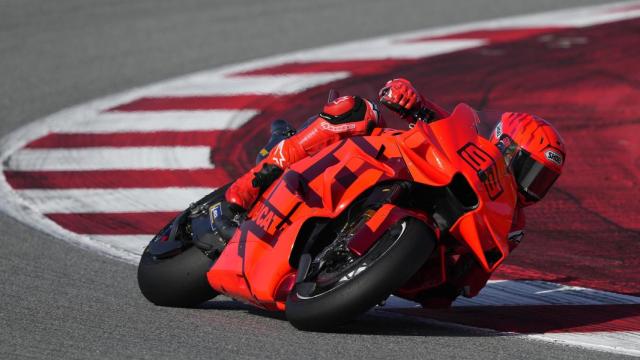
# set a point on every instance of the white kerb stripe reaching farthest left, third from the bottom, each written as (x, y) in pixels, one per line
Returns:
(111, 158)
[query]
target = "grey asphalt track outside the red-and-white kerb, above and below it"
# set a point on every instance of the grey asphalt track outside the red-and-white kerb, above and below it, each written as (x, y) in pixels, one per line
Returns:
(58, 301)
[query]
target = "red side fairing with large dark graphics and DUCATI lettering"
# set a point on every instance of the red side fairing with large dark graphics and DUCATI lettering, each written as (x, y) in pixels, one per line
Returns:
(251, 267)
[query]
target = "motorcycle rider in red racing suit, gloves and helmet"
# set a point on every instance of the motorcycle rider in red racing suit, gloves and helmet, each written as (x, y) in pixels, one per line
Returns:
(532, 149)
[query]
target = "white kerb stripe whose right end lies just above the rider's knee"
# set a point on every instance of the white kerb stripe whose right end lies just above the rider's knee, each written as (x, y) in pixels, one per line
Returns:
(214, 84)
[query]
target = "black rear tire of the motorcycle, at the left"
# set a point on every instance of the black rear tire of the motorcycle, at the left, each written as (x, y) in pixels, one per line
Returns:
(178, 281)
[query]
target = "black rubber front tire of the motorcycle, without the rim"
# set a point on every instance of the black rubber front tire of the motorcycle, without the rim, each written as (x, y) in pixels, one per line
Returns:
(389, 271)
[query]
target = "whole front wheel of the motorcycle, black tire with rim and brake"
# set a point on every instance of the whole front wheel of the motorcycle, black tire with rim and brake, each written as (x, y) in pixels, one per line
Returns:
(345, 287)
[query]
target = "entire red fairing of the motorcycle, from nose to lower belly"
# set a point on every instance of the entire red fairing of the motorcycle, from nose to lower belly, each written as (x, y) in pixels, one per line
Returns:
(254, 265)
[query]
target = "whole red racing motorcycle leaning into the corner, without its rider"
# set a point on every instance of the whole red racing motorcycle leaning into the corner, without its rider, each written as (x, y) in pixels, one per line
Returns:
(342, 230)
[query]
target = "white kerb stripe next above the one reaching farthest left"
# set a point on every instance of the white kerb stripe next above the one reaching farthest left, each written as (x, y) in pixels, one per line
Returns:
(149, 121)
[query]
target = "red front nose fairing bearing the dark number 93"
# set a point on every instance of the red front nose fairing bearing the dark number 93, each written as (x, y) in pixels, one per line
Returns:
(454, 144)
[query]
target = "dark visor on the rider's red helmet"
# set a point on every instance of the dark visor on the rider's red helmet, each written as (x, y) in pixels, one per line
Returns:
(534, 178)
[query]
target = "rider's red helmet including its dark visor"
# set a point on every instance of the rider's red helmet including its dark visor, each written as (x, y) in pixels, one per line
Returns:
(534, 152)
